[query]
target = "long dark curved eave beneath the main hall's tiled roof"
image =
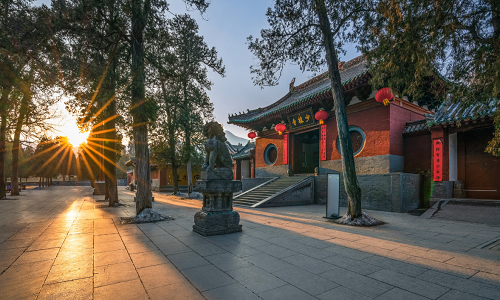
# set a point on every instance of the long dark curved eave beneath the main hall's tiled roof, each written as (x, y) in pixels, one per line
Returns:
(347, 85)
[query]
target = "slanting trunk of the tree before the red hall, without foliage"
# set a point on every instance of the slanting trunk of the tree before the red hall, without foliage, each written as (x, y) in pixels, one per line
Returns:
(349, 170)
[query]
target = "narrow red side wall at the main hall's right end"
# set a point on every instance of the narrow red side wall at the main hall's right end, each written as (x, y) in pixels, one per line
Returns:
(399, 117)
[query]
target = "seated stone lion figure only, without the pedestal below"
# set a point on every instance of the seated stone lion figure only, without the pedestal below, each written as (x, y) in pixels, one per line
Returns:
(218, 163)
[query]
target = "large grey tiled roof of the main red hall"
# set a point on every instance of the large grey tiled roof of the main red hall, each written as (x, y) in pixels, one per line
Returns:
(317, 86)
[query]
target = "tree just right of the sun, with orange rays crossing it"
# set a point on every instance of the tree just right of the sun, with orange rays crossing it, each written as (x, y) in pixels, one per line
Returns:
(98, 46)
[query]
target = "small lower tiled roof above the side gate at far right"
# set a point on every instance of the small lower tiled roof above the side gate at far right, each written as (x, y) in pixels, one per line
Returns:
(451, 113)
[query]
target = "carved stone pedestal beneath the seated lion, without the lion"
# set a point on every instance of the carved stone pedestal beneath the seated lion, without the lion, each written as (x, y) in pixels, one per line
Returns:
(217, 215)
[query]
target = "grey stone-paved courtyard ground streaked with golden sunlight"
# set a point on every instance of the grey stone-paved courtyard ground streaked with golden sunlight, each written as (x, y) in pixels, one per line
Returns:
(56, 245)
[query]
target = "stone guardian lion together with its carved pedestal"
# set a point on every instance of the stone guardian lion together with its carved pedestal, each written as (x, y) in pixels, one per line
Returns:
(217, 186)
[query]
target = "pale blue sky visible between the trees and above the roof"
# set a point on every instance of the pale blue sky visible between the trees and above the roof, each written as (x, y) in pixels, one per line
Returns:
(225, 26)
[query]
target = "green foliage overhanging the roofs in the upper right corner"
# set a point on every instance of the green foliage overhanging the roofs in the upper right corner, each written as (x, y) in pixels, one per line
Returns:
(408, 42)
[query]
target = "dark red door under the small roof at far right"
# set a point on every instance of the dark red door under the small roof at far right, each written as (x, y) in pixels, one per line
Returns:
(482, 170)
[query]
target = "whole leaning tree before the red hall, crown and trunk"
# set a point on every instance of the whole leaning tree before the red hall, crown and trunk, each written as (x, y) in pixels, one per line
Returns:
(311, 33)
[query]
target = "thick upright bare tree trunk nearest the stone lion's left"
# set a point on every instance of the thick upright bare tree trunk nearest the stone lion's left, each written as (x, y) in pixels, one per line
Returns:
(139, 113)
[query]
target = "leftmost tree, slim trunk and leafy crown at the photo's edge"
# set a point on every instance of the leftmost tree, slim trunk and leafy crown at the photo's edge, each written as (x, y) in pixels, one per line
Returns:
(25, 39)
